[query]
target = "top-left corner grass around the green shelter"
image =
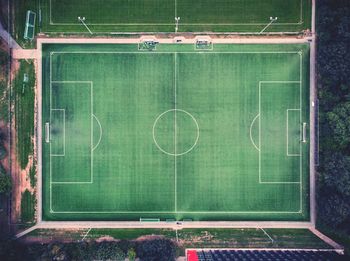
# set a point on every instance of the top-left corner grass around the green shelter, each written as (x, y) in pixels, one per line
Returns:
(20, 8)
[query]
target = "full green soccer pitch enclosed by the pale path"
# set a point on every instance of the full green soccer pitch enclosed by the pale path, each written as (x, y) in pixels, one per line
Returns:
(175, 133)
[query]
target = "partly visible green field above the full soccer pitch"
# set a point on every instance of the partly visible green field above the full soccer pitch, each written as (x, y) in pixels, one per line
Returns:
(159, 15)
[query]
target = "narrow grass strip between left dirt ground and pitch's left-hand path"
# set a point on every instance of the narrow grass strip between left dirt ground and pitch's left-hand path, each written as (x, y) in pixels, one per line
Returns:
(24, 111)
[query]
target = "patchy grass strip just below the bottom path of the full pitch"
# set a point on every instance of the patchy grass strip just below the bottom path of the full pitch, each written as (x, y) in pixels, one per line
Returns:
(199, 237)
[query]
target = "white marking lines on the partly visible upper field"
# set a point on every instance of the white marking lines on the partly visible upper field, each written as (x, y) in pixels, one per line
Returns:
(175, 11)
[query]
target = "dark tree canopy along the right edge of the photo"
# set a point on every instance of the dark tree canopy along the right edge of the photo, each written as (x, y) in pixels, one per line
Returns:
(333, 64)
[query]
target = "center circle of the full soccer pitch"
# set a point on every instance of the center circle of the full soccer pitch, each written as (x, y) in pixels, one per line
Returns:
(175, 132)
